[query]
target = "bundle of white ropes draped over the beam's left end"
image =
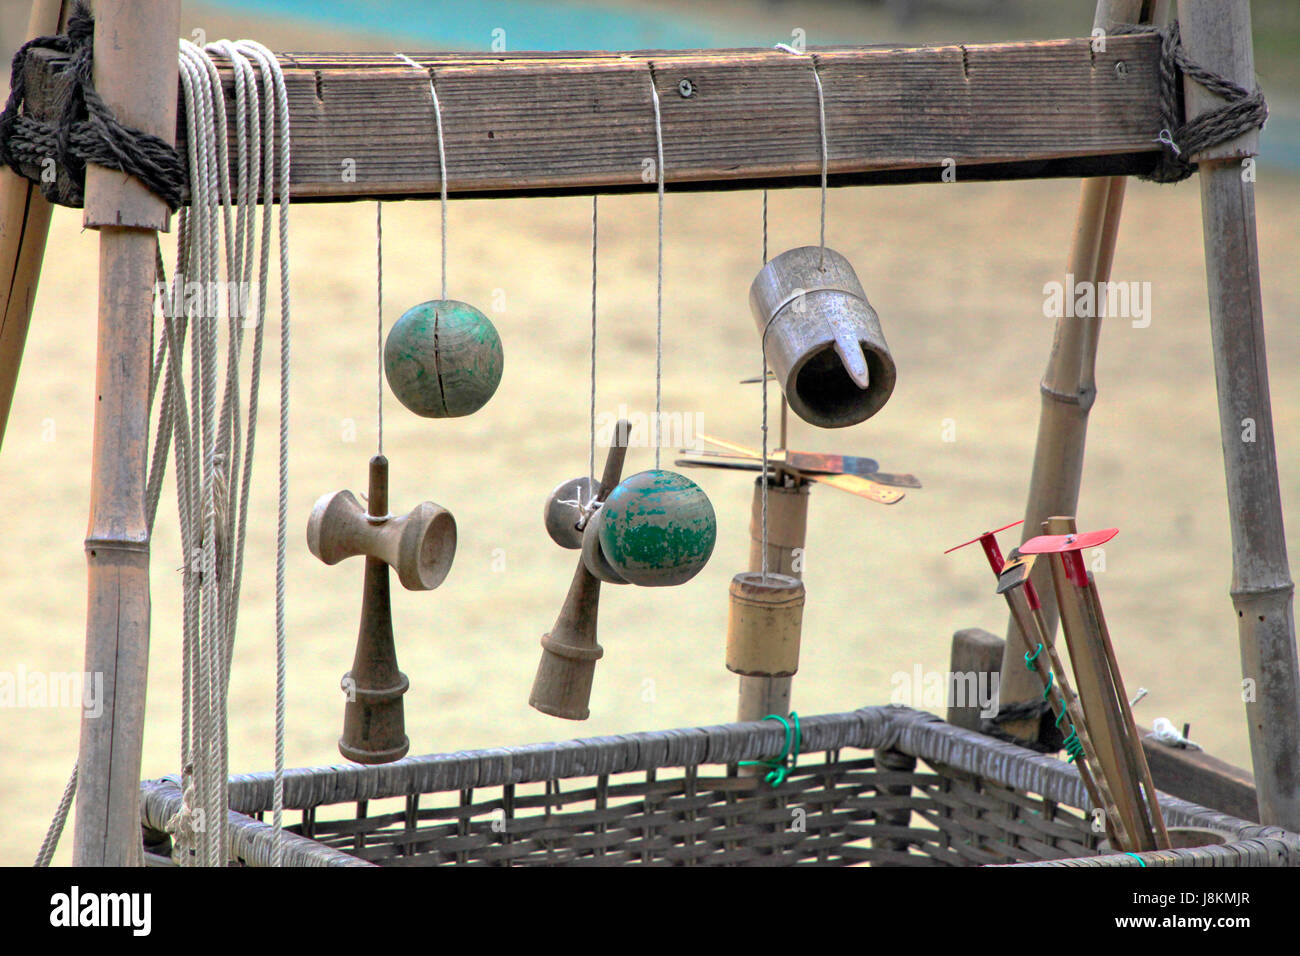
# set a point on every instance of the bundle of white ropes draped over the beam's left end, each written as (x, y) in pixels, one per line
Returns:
(210, 453)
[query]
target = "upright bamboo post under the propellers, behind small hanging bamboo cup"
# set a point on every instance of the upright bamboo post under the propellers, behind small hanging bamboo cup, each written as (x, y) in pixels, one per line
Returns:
(787, 529)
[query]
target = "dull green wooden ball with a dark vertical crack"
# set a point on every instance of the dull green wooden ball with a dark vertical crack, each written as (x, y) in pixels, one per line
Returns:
(444, 360)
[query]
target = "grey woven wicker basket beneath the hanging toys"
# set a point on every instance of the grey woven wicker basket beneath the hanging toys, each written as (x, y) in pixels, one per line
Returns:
(883, 786)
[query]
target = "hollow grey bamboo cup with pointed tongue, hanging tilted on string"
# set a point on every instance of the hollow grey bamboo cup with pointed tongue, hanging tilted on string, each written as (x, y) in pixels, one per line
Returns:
(822, 338)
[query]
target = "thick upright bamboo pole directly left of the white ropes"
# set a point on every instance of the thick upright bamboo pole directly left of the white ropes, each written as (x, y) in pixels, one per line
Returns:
(136, 72)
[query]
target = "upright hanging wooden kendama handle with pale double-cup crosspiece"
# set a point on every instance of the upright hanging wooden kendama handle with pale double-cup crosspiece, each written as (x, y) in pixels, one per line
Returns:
(421, 547)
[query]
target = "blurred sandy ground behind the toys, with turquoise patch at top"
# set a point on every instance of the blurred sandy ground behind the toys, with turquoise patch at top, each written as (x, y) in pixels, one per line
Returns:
(957, 278)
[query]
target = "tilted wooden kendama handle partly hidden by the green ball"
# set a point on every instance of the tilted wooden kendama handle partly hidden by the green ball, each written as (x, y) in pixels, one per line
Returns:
(570, 651)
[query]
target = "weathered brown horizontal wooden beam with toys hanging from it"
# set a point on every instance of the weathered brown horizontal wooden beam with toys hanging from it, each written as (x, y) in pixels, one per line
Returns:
(363, 124)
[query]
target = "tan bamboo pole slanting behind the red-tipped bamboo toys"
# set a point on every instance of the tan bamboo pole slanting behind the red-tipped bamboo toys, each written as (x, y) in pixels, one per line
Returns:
(1069, 384)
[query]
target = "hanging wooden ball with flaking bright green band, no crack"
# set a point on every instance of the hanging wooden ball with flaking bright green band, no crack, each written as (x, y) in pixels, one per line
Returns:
(658, 529)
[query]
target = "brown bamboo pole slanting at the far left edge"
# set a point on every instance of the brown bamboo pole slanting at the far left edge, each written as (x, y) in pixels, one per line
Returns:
(24, 228)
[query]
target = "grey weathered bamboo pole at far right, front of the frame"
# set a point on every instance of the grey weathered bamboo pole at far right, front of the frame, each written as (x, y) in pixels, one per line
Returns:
(1217, 36)
